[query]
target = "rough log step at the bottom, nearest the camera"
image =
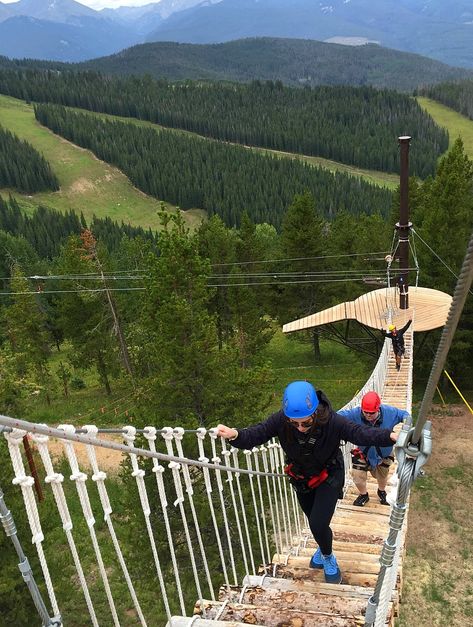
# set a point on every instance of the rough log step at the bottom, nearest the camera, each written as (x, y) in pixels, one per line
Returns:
(277, 616)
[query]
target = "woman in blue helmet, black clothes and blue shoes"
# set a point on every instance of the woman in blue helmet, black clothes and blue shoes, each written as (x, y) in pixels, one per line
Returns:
(310, 432)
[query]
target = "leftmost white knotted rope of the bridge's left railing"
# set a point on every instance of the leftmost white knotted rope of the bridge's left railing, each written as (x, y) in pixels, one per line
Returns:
(14, 438)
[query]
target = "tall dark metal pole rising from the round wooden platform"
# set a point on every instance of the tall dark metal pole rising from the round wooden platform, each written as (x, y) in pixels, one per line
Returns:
(404, 226)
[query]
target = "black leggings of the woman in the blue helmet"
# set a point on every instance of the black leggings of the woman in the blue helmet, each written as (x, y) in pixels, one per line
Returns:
(318, 505)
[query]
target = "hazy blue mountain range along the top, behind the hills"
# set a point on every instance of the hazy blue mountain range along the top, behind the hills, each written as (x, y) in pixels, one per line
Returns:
(66, 30)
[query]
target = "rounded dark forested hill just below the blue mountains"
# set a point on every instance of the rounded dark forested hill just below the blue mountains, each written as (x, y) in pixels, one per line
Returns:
(293, 61)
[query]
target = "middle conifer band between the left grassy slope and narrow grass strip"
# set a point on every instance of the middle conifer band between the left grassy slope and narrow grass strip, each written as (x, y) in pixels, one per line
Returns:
(223, 179)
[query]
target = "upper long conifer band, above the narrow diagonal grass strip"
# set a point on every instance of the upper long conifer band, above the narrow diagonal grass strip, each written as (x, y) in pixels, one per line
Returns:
(354, 126)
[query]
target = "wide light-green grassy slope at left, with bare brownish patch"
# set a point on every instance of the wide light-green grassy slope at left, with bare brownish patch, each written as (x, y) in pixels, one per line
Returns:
(87, 184)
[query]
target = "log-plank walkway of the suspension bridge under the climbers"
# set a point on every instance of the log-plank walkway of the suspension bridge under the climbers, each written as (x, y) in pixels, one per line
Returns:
(298, 596)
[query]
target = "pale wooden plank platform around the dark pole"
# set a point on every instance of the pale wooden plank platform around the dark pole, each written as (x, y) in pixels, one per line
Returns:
(372, 309)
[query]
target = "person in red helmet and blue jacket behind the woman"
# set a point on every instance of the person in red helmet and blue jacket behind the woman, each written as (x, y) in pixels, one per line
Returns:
(373, 459)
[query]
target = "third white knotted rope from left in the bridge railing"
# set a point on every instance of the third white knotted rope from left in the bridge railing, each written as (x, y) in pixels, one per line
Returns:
(79, 478)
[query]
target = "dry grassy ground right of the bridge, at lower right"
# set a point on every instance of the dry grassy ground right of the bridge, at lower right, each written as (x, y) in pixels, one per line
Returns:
(438, 568)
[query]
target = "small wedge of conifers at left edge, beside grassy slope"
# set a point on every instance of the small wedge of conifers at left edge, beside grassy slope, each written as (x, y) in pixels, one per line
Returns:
(22, 167)
